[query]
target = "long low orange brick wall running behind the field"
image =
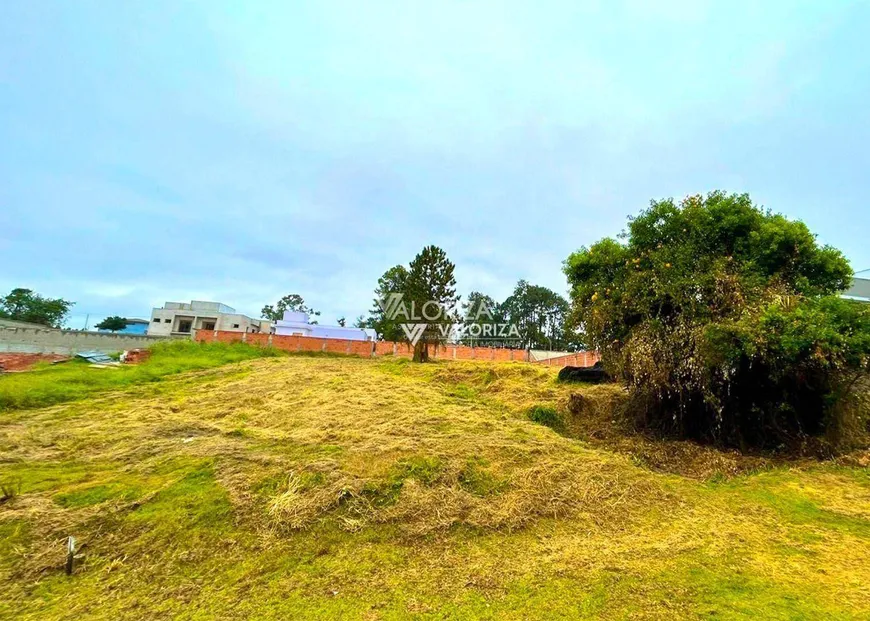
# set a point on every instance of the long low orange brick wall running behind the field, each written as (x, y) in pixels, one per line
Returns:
(387, 348)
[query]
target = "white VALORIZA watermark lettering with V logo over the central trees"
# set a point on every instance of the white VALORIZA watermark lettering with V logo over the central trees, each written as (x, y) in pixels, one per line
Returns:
(476, 322)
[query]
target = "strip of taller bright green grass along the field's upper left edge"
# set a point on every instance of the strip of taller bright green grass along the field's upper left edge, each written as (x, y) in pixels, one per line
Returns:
(74, 380)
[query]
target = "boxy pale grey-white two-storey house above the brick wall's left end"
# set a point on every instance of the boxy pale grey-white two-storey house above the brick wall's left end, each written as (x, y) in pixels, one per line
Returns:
(178, 318)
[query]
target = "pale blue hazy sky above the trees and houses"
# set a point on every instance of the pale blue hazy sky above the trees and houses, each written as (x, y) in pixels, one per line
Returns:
(238, 151)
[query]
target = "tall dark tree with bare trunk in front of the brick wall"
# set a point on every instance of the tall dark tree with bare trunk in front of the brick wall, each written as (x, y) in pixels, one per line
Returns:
(431, 284)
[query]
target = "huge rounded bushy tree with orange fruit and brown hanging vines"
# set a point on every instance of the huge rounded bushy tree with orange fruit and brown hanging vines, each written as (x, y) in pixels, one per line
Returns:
(723, 320)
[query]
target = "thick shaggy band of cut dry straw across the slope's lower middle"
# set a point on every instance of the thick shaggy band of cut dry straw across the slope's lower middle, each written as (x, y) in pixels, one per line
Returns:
(469, 496)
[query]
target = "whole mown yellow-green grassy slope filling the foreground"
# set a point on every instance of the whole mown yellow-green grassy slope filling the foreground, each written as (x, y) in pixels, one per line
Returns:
(313, 488)
